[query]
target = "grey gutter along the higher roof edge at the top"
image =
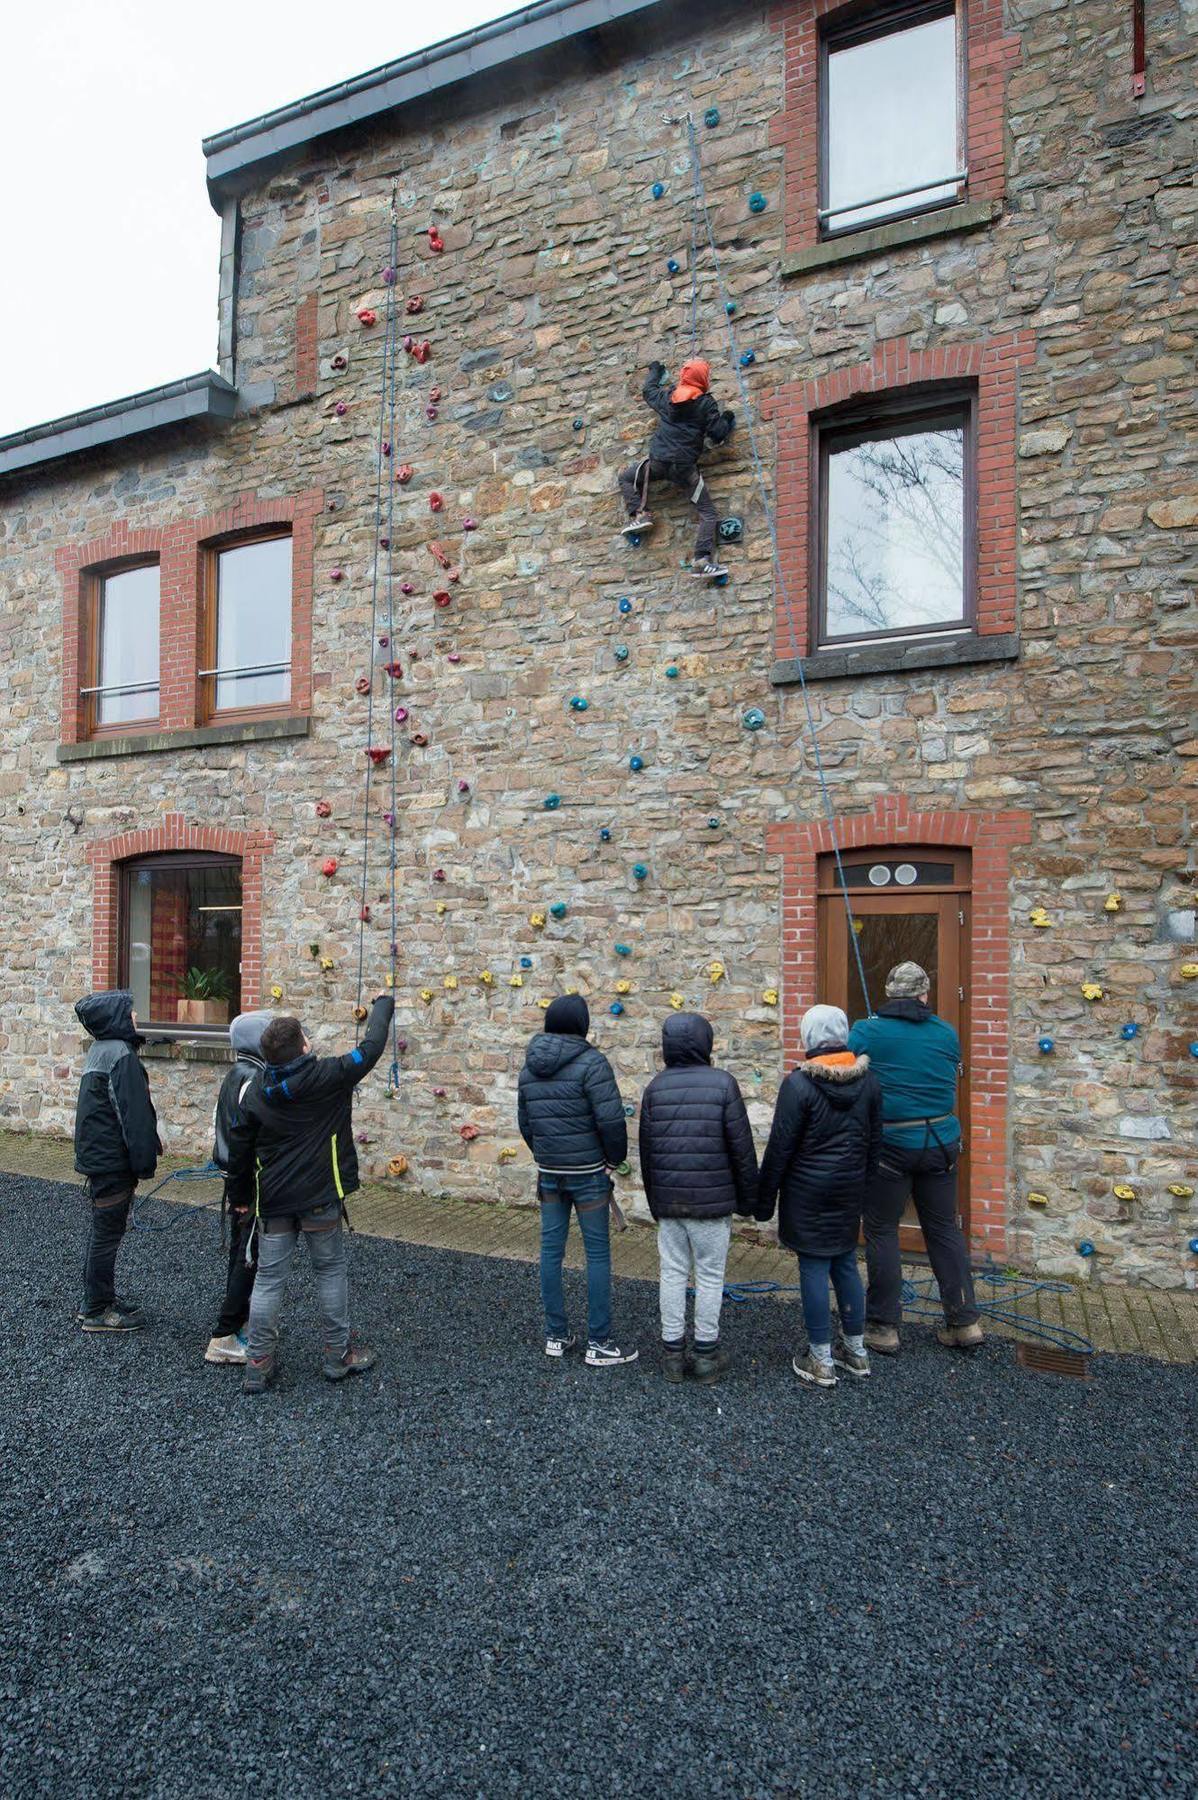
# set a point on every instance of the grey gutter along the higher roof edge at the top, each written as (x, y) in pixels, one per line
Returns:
(235, 154)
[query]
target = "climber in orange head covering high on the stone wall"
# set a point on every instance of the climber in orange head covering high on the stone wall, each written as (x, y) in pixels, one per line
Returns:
(688, 418)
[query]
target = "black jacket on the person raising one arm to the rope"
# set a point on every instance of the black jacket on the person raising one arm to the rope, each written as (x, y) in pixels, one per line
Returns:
(292, 1146)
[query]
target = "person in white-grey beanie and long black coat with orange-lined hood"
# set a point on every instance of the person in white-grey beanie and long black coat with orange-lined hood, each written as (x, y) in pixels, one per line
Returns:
(823, 1153)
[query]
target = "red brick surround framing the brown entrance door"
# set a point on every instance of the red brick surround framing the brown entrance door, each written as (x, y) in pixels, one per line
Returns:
(990, 838)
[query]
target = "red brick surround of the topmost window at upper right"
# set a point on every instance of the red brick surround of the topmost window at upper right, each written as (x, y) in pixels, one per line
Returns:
(798, 129)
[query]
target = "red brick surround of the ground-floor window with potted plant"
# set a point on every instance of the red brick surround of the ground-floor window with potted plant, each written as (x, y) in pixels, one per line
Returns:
(175, 834)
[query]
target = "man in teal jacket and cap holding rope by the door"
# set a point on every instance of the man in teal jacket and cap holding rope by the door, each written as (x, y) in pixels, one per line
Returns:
(916, 1057)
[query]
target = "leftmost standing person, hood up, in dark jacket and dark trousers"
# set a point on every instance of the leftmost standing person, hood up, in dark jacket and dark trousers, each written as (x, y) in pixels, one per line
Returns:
(116, 1147)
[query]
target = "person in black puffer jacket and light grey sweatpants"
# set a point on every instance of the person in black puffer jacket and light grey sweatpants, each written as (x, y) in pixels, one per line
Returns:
(699, 1167)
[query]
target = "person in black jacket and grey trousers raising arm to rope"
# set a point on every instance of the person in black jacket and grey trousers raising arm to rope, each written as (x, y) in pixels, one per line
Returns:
(292, 1160)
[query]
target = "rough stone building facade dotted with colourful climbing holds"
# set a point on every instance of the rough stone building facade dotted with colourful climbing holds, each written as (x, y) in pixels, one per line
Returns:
(1024, 768)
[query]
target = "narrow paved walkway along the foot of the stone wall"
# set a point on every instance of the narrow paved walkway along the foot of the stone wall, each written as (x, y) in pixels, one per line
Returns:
(1127, 1320)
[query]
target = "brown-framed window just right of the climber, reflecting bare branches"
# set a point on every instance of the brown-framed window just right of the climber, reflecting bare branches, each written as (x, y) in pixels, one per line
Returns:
(897, 530)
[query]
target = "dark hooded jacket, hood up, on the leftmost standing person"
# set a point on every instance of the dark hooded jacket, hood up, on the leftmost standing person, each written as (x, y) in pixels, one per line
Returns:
(116, 1124)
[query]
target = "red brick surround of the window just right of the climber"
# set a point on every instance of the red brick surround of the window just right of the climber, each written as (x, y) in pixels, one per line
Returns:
(994, 366)
